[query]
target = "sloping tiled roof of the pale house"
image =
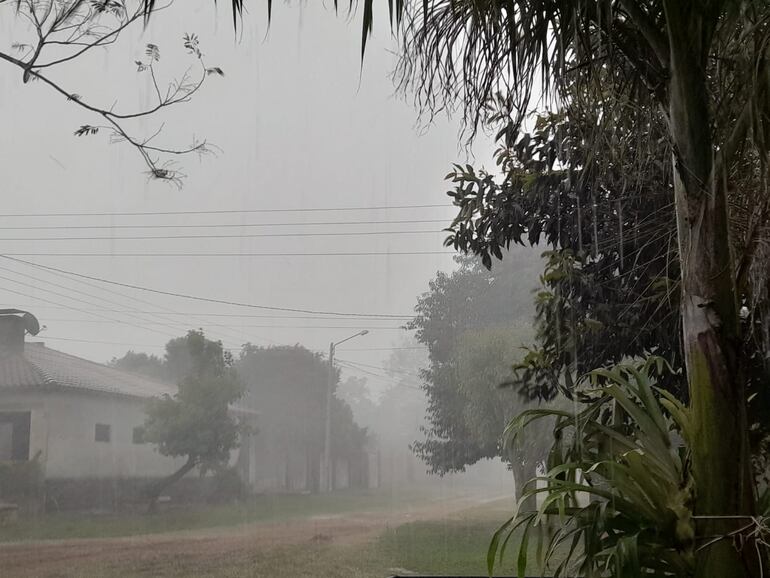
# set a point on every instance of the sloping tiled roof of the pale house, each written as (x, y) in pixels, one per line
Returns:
(40, 366)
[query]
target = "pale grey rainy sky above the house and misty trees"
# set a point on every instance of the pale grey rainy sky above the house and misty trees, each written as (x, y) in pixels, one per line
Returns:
(297, 123)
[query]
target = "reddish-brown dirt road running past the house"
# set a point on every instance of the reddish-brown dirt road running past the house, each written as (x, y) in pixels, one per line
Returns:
(201, 551)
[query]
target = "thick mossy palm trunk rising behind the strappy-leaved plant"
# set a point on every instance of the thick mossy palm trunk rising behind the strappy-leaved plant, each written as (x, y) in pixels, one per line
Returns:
(719, 440)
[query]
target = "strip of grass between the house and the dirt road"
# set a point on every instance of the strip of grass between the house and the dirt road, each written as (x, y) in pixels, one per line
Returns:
(262, 509)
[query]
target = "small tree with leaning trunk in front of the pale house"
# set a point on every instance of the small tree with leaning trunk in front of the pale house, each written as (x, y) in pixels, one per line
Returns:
(197, 422)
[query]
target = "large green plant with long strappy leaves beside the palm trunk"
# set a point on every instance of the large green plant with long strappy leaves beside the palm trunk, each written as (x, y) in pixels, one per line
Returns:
(625, 450)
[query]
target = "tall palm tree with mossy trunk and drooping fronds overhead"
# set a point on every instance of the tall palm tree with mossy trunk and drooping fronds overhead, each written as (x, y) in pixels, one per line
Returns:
(703, 63)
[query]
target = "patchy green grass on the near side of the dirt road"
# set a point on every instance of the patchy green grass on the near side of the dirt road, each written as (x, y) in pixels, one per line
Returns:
(452, 547)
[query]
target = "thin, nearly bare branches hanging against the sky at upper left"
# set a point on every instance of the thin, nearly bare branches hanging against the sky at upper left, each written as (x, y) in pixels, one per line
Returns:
(51, 33)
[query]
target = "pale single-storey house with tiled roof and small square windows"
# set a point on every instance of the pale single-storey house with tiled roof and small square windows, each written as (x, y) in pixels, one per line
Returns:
(80, 420)
